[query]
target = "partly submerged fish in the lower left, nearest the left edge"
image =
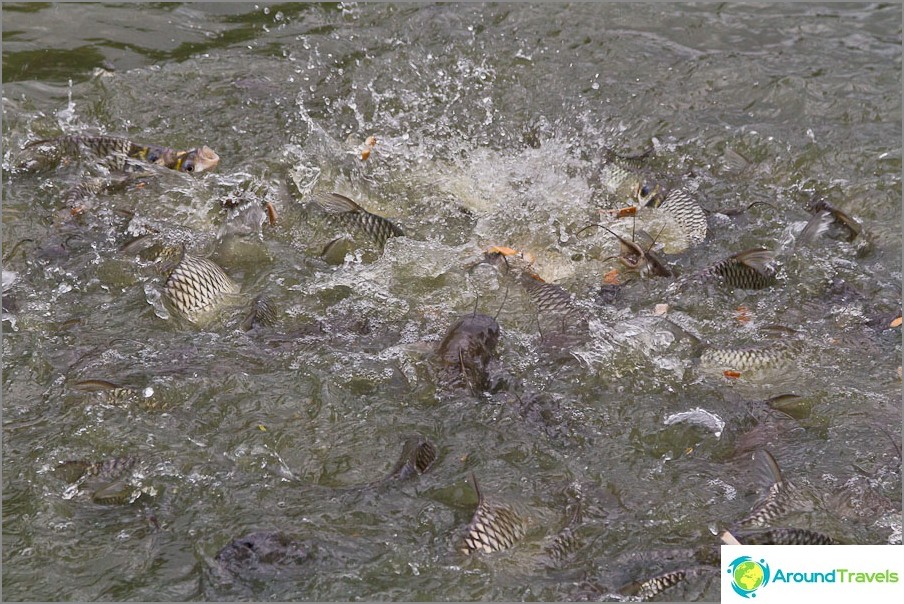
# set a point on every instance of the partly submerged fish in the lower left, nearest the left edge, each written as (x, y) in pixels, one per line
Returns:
(108, 481)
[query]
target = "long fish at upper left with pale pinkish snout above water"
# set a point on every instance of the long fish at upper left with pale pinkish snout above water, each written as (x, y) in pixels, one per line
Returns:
(116, 153)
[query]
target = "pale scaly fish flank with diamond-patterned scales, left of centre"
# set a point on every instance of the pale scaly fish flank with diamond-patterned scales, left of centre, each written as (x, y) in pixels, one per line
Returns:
(197, 286)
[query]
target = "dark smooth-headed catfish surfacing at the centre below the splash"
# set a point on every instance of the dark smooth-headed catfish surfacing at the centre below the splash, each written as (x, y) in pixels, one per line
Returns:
(465, 353)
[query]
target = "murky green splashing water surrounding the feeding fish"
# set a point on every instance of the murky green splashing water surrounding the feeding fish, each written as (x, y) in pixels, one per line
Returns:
(490, 123)
